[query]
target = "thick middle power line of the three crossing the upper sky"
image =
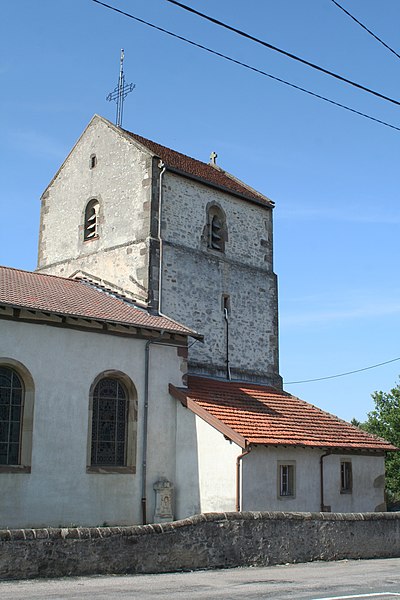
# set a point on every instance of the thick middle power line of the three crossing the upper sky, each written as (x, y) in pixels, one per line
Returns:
(284, 52)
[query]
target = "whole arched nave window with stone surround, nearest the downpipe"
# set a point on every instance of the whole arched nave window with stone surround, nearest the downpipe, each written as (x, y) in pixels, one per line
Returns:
(113, 421)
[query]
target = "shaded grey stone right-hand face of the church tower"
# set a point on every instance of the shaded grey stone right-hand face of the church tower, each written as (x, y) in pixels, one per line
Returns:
(195, 280)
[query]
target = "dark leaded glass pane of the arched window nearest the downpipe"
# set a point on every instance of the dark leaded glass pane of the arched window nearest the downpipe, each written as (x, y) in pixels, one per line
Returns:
(109, 423)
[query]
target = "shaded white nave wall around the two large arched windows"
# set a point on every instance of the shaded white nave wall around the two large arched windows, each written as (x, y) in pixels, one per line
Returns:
(63, 364)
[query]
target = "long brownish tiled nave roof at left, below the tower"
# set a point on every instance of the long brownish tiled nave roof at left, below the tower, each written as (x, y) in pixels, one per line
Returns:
(75, 298)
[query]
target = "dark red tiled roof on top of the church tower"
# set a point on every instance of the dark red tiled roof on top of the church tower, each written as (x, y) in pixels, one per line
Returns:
(210, 174)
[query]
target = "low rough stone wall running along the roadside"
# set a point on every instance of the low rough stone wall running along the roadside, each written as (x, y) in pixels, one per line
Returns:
(201, 542)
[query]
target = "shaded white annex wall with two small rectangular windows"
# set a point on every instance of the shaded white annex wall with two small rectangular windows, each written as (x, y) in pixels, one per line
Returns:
(260, 481)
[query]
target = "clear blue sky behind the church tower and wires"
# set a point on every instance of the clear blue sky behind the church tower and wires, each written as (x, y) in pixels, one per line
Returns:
(333, 175)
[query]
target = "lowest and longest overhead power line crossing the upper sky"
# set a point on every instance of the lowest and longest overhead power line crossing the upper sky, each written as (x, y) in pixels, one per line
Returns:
(247, 66)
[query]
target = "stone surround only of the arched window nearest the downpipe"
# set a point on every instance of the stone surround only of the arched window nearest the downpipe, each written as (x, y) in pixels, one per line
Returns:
(131, 436)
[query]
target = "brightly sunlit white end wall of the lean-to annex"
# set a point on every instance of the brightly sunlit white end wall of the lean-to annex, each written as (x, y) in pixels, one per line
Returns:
(217, 469)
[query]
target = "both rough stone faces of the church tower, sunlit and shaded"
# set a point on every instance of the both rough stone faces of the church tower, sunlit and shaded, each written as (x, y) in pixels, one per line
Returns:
(196, 282)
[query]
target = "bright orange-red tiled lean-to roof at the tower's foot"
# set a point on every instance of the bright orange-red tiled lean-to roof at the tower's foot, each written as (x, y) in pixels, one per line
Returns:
(253, 414)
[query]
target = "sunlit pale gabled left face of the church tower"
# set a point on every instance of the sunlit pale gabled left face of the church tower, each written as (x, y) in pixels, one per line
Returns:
(121, 182)
